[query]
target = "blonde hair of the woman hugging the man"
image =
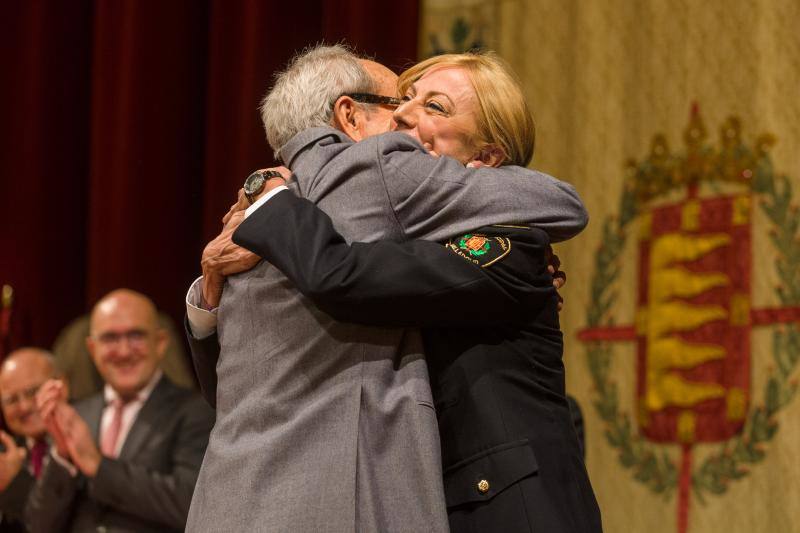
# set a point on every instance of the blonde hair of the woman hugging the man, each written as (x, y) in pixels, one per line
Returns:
(504, 118)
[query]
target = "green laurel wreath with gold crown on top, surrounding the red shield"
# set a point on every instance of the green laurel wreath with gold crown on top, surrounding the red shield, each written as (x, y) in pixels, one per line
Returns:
(659, 173)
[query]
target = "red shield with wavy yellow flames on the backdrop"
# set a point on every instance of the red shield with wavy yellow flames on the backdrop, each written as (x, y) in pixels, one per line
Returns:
(693, 322)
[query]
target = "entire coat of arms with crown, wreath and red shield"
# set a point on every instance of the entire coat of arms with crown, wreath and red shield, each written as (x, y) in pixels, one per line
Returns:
(692, 213)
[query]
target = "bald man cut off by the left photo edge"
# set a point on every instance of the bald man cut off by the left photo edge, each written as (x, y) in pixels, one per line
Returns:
(21, 375)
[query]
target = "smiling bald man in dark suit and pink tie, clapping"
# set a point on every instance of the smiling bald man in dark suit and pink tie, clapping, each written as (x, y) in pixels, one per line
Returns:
(125, 459)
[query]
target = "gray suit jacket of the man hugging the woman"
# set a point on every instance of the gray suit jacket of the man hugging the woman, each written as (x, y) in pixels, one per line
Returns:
(329, 426)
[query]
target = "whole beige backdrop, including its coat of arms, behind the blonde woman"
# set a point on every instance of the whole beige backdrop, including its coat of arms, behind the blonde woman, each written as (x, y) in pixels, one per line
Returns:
(679, 123)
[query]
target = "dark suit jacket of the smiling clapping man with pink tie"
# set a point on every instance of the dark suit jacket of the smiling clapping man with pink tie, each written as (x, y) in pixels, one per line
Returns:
(147, 488)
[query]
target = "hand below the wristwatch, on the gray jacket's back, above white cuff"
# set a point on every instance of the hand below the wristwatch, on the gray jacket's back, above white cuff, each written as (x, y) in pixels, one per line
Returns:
(221, 258)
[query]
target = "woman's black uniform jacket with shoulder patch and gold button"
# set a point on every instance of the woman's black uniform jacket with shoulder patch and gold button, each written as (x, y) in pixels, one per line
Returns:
(493, 344)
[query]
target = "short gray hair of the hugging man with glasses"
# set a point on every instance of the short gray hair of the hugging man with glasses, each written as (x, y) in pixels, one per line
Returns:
(304, 93)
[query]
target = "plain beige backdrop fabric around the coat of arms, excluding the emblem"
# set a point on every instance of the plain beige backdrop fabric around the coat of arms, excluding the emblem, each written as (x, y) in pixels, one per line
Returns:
(603, 77)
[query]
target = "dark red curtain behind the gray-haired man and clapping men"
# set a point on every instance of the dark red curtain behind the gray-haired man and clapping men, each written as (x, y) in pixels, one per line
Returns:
(130, 125)
